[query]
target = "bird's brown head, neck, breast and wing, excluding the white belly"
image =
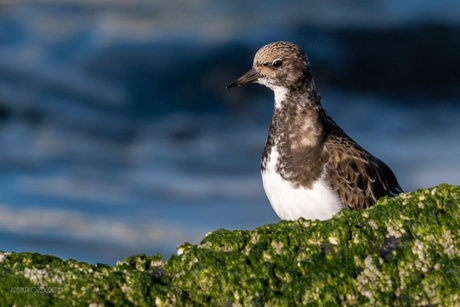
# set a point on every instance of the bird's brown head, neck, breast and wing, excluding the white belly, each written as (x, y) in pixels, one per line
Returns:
(309, 144)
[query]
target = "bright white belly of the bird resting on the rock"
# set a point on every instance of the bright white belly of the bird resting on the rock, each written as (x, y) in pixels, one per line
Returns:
(291, 202)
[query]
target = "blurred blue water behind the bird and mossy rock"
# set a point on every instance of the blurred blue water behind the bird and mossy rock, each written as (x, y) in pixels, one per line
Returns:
(117, 135)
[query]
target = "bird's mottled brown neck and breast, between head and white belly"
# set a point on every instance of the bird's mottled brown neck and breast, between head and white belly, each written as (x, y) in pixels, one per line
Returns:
(297, 134)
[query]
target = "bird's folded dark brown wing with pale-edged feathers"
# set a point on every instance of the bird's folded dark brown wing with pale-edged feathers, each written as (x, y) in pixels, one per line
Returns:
(359, 178)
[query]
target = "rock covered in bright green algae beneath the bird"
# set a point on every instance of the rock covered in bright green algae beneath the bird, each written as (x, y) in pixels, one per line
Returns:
(402, 252)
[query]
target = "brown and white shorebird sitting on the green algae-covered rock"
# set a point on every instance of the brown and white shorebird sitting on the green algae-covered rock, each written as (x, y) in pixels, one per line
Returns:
(310, 167)
